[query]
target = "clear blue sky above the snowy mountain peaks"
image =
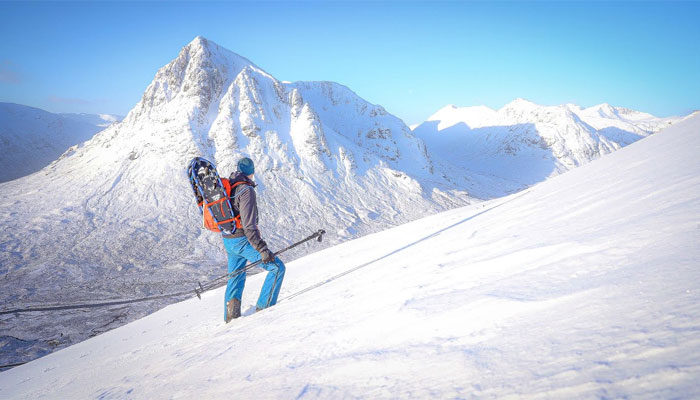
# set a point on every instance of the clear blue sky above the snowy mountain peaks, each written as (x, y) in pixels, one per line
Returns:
(411, 57)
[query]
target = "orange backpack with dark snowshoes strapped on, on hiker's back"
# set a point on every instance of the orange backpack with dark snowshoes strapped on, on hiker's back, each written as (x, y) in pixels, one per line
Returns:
(212, 194)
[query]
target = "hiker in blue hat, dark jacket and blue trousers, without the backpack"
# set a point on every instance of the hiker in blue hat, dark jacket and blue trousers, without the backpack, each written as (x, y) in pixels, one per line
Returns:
(247, 245)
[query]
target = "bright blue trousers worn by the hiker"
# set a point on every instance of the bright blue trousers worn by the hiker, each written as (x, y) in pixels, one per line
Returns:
(240, 251)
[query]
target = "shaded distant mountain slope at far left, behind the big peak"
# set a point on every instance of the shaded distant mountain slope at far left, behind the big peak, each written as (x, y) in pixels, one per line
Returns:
(31, 139)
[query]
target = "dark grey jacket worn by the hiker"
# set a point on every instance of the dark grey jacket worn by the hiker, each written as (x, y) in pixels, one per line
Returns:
(245, 203)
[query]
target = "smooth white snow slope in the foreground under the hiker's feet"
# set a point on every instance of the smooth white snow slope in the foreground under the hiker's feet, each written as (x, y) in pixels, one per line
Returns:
(584, 286)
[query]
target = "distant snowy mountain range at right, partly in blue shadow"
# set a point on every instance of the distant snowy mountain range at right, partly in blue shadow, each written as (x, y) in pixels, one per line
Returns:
(525, 143)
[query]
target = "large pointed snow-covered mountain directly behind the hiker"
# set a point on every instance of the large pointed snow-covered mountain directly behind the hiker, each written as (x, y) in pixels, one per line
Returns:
(115, 216)
